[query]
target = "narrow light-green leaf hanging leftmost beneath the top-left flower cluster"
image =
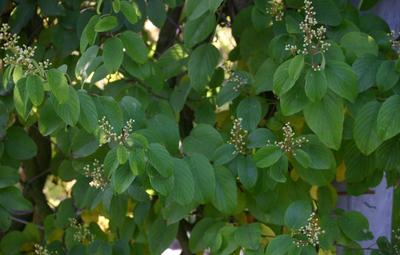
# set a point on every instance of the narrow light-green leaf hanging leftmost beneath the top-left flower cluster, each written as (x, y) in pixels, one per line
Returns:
(21, 99)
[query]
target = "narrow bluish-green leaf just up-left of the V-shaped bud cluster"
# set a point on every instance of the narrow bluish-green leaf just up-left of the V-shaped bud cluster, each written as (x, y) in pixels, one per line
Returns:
(88, 114)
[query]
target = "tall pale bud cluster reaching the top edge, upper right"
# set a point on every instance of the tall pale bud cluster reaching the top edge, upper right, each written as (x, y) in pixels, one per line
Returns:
(314, 36)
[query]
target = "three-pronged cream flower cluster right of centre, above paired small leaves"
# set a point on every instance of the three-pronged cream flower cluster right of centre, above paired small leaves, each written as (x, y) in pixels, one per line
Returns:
(289, 143)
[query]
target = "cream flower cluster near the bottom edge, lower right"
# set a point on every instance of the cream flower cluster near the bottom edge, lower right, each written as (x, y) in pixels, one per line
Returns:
(308, 234)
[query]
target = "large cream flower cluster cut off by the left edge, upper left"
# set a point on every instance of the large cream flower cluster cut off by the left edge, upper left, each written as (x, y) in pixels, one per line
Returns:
(20, 55)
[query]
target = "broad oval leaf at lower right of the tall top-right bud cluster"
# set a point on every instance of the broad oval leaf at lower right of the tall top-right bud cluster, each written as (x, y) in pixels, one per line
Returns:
(342, 80)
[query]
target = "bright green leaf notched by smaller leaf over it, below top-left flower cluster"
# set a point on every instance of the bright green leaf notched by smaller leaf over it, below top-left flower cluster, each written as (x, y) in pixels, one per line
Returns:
(69, 110)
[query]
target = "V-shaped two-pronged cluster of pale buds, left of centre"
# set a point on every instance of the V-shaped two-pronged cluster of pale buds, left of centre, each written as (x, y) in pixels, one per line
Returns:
(110, 134)
